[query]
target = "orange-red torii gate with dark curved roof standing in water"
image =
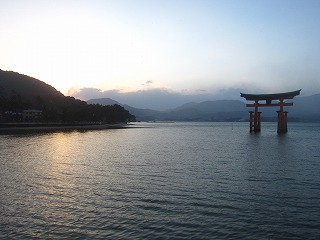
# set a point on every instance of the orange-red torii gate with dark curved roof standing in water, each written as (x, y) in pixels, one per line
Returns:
(255, 118)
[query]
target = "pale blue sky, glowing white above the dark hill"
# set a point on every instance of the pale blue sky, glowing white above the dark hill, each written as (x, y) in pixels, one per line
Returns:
(179, 45)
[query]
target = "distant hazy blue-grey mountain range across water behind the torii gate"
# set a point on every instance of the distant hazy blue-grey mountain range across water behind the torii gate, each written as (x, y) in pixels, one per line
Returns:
(303, 109)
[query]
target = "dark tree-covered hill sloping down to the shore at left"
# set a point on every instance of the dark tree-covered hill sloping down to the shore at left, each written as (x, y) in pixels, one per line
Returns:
(19, 93)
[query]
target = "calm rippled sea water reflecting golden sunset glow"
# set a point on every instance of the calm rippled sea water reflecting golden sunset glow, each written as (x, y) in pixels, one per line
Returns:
(162, 181)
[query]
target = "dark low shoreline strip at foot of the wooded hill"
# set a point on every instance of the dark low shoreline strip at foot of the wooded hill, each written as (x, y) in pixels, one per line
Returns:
(11, 128)
